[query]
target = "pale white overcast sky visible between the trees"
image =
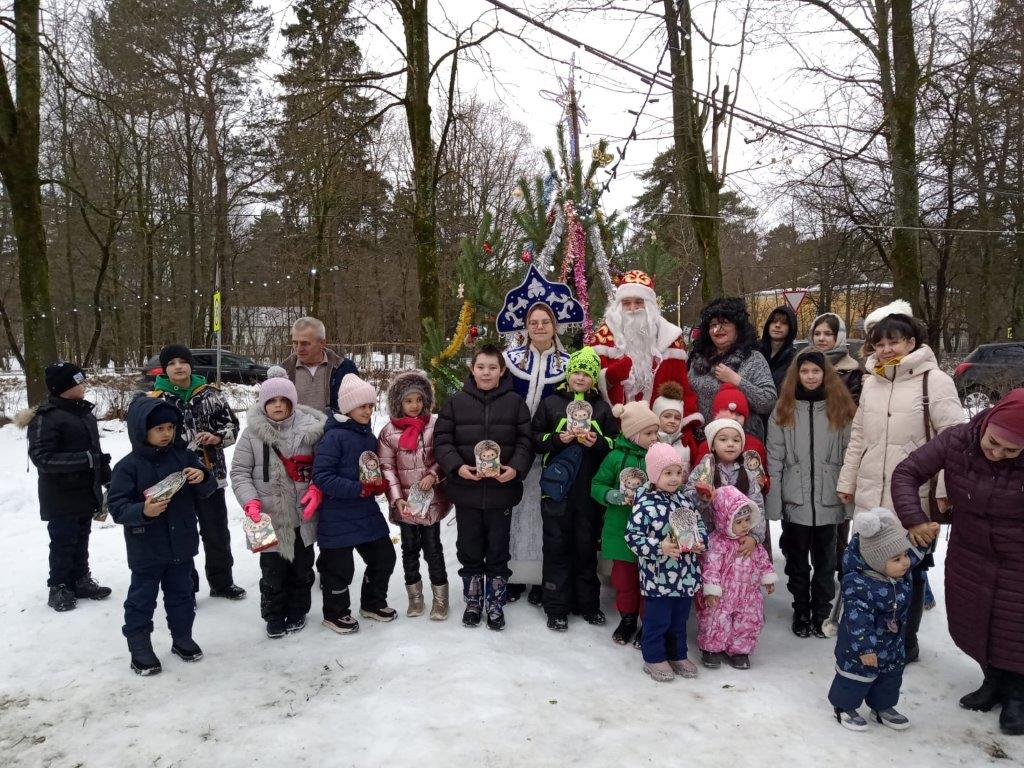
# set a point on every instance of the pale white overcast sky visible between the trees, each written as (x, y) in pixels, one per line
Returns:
(526, 81)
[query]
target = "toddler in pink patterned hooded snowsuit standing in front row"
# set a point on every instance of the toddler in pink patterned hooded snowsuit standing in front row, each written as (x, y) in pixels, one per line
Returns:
(733, 614)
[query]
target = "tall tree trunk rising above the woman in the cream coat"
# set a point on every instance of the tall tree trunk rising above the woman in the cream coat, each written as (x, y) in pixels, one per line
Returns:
(903, 112)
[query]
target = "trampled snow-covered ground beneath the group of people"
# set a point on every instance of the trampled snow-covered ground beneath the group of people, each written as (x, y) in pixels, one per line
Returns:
(422, 693)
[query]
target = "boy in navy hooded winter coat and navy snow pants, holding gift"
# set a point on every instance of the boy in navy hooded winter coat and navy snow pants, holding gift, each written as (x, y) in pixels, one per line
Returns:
(162, 536)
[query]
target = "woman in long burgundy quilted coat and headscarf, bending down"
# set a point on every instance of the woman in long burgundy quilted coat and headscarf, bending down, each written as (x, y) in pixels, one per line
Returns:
(985, 473)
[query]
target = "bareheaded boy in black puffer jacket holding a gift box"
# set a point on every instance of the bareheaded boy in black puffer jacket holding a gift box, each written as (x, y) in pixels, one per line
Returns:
(487, 409)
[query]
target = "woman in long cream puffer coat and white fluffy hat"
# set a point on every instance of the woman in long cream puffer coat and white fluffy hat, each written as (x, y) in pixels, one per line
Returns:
(890, 425)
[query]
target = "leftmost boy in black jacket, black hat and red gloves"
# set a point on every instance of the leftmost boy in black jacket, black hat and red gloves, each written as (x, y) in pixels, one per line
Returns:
(64, 444)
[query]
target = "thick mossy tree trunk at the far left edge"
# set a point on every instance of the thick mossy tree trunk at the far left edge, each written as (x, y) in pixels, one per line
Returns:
(20, 170)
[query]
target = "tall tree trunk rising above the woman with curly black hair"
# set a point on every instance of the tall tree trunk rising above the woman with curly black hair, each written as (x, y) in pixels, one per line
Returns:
(695, 181)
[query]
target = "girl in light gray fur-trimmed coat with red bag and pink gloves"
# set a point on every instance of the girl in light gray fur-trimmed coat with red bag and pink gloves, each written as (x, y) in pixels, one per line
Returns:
(271, 474)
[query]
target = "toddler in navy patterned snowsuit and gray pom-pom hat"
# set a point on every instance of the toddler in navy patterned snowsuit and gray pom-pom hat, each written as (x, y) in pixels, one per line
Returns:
(871, 650)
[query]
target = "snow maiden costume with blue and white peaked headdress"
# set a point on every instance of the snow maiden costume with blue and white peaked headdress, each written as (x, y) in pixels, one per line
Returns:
(535, 376)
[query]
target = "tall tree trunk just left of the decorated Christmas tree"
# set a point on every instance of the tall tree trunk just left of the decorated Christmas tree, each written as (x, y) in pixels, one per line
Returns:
(424, 170)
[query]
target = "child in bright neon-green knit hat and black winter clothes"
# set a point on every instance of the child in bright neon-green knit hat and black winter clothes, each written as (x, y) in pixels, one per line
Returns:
(573, 527)
